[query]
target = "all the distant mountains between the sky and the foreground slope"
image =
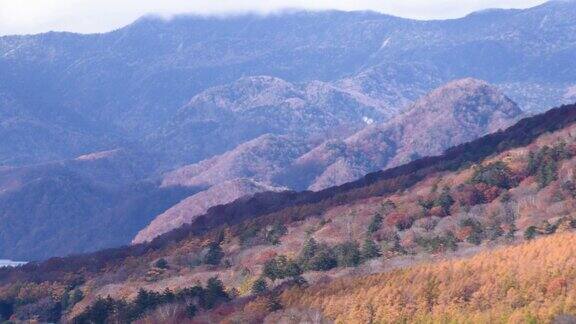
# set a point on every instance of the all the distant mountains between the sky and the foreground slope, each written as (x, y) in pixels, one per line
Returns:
(289, 101)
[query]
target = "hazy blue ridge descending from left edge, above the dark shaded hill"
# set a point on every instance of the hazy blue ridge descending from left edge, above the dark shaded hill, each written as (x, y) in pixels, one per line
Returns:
(30, 133)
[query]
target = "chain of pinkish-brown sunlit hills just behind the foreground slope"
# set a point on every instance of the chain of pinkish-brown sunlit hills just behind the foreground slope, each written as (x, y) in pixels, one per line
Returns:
(457, 112)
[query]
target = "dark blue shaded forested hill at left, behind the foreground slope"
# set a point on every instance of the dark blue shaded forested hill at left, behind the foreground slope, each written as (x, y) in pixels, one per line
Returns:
(89, 203)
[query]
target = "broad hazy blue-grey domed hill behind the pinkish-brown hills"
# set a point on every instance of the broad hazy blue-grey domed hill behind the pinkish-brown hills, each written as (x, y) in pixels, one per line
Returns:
(223, 117)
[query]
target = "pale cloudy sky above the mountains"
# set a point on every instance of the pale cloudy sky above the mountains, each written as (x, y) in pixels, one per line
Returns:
(89, 16)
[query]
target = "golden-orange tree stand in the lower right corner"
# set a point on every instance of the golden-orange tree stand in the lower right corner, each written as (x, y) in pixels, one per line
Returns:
(528, 283)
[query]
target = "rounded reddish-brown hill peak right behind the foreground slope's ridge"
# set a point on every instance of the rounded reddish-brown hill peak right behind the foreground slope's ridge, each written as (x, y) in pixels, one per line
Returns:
(452, 114)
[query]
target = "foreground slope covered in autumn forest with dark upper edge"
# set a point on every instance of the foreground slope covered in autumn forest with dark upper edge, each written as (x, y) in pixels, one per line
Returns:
(412, 230)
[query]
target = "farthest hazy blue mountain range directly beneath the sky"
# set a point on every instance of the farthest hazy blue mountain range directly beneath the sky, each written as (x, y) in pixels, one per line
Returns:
(131, 82)
